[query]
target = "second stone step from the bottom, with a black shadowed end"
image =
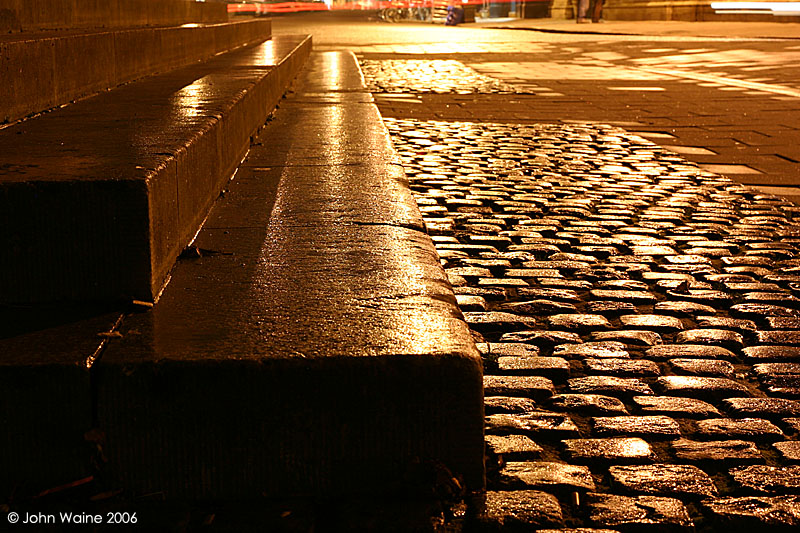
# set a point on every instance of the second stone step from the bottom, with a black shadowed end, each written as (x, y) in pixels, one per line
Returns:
(98, 198)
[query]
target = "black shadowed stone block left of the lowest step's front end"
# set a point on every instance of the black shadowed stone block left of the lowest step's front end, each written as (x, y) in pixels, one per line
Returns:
(46, 397)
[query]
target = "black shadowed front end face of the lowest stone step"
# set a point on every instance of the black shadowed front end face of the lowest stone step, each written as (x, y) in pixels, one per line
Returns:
(237, 430)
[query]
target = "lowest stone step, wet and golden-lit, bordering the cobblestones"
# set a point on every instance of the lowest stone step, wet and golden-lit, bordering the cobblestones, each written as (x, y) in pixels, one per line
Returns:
(314, 348)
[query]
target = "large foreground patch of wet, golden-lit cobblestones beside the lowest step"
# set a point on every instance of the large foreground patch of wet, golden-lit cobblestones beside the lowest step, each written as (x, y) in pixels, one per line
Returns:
(638, 320)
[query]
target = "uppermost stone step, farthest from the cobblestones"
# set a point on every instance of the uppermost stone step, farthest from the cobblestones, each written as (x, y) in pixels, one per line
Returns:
(32, 15)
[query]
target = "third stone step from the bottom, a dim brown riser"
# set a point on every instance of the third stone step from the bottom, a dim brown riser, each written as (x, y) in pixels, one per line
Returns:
(47, 69)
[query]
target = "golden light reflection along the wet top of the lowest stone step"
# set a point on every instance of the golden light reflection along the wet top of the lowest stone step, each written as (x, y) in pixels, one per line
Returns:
(338, 258)
